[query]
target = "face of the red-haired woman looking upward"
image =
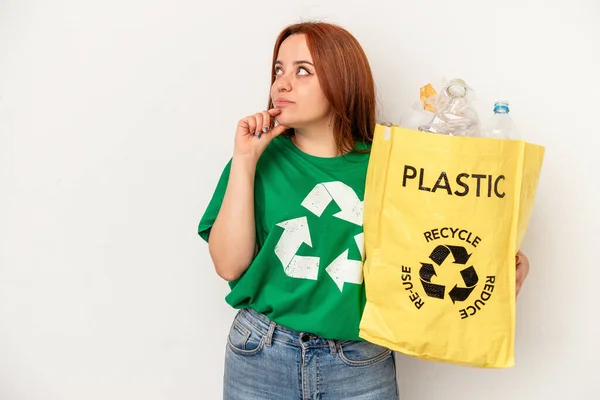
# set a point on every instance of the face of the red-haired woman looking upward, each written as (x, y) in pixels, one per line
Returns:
(296, 90)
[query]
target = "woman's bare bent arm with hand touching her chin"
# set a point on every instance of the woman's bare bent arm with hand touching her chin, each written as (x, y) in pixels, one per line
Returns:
(232, 240)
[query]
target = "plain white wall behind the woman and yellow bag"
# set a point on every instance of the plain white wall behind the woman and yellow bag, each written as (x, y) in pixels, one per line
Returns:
(117, 116)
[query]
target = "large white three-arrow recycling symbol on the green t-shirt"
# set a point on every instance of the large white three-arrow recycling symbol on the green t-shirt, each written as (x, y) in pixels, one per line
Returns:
(296, 232)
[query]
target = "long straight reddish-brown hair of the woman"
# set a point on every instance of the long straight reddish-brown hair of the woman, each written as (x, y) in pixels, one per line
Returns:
(345, 78)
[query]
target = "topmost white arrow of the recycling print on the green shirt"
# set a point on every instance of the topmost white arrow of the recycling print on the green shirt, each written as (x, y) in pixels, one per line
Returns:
(322, 194)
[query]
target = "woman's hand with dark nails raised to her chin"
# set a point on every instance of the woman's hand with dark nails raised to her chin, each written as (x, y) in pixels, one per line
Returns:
(254, 133)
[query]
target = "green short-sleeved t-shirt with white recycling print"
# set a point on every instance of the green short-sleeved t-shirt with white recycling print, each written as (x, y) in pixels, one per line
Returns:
(307, 274)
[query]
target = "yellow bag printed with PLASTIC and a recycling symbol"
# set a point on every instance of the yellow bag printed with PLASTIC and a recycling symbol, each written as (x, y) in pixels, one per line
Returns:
(444, 217)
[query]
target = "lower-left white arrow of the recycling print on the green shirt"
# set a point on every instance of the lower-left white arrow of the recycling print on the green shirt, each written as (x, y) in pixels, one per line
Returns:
(295, 233)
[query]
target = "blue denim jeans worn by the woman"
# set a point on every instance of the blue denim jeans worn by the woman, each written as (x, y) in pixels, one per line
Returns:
(266, 361)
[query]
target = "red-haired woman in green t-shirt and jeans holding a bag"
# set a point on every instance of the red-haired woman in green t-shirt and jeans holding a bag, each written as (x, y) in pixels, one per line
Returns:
(284, 224)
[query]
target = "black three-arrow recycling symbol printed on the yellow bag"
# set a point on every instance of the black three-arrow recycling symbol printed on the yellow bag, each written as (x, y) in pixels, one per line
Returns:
(438, 256)
